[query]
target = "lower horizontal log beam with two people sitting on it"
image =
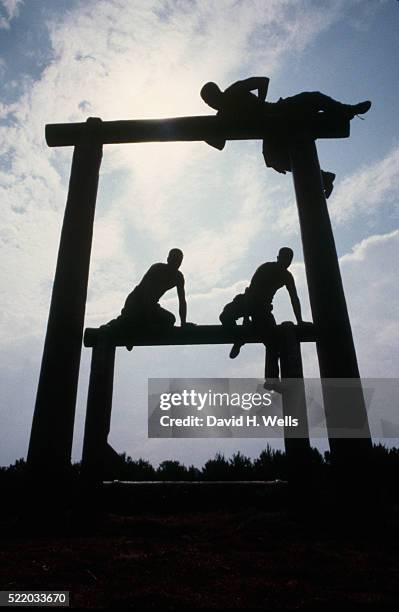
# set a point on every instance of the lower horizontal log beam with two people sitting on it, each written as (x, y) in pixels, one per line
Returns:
(198, 334)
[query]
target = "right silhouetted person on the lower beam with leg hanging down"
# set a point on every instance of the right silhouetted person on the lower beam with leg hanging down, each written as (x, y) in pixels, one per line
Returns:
(256, 303)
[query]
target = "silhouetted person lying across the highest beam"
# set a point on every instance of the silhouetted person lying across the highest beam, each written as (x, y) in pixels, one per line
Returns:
(238, 103)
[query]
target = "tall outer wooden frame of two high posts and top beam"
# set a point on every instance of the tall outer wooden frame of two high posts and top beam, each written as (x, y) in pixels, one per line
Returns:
(53, 422)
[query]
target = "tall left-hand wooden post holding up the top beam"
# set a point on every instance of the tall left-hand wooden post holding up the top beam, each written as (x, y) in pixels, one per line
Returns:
(52, 428)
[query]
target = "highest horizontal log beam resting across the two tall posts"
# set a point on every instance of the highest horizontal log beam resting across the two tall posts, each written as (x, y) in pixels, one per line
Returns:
(204, 127)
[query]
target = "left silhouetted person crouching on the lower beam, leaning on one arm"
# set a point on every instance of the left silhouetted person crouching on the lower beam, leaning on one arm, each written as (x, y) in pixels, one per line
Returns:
(142, 309)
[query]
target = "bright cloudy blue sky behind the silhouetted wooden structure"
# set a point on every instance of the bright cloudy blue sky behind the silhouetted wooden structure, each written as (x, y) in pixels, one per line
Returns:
(63, 61)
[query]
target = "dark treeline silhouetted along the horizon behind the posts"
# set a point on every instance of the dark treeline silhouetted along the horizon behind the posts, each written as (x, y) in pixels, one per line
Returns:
(270, 465)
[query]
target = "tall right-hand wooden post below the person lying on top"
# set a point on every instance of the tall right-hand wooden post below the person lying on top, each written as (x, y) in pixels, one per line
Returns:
(335, 347)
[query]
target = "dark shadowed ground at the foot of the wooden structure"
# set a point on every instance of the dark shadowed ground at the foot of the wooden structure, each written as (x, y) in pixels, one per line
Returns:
(231, 550)
